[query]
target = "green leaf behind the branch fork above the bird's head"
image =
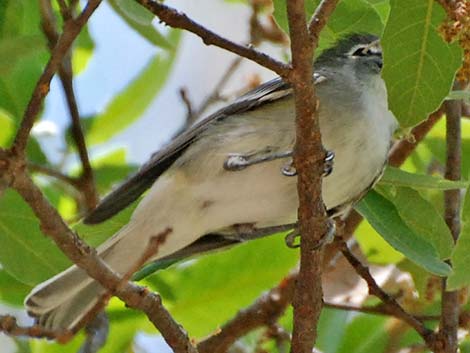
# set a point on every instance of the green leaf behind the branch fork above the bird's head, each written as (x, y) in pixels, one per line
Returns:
(349, 16)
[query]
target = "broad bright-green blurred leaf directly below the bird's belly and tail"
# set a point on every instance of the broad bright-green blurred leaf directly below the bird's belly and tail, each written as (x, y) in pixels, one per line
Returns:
(225, 282)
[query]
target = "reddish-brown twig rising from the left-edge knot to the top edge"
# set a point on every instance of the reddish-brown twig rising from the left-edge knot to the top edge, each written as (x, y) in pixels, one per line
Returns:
(71, 30)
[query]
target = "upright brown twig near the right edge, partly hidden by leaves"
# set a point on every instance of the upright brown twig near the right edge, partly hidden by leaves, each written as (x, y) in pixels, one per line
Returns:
(450, 305)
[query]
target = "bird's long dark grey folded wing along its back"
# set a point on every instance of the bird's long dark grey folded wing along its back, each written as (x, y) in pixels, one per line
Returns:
(143, 179)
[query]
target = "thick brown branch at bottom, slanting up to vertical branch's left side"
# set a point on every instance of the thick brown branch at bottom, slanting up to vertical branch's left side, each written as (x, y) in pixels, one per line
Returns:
(265, 311)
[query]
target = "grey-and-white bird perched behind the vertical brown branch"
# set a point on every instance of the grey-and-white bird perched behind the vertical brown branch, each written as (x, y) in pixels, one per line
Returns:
(233, 171)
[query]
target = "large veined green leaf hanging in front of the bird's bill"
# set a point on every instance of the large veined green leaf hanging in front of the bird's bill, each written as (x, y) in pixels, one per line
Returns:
(419, 67)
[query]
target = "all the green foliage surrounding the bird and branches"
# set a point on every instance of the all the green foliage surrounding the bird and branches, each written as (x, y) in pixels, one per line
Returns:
(405, 209)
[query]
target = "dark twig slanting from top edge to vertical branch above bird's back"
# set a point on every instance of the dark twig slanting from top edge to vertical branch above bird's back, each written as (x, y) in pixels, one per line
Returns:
(177, 19)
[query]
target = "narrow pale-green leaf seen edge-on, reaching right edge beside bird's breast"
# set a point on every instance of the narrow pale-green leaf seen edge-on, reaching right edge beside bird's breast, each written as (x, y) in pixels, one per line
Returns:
(397, 177)
